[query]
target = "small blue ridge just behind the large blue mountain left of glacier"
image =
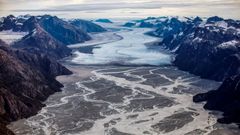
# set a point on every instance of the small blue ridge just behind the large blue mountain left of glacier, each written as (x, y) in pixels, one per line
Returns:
(87, 26)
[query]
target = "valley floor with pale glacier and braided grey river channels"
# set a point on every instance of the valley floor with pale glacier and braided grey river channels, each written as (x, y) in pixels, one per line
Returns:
(125, 86)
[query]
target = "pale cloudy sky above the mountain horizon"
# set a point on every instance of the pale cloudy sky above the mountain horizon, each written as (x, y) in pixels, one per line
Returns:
(122, 8)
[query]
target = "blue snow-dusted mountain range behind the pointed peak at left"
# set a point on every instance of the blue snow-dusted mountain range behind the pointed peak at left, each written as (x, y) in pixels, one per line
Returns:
(61, 30)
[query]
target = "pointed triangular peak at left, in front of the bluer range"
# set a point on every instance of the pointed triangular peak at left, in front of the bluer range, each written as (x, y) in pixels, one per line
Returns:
(40, 41)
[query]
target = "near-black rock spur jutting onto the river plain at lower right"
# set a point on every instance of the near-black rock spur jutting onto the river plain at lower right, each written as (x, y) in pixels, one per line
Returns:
(225, 99)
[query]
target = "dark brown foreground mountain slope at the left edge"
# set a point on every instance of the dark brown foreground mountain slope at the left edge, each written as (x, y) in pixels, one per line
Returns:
(26, 79)
